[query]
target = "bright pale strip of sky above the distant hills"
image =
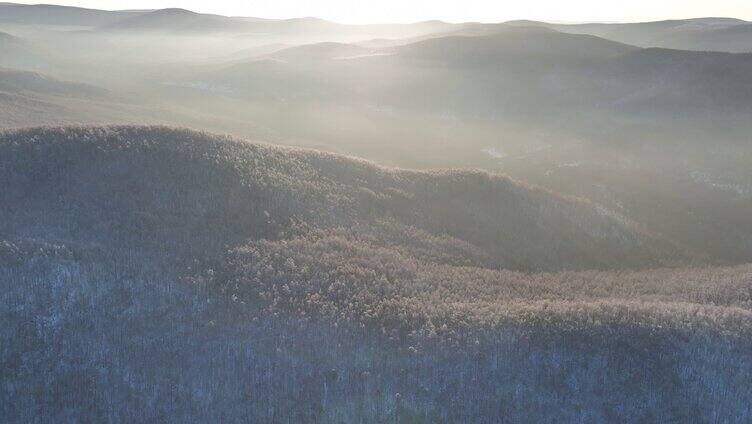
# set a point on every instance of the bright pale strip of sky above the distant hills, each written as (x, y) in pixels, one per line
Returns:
(382, 11)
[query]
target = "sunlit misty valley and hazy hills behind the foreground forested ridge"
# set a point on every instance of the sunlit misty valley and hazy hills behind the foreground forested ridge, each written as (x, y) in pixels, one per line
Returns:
(563, 110)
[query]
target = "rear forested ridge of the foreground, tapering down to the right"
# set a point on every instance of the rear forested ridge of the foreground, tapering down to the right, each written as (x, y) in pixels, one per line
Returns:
(190, 192)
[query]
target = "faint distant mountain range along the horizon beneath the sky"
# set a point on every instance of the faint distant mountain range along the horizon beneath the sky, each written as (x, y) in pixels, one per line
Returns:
(704, 34)
